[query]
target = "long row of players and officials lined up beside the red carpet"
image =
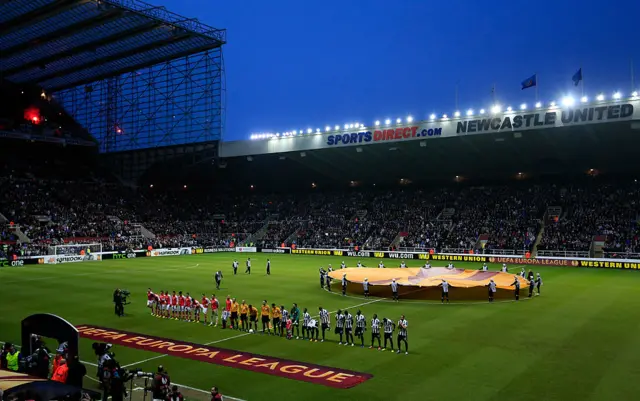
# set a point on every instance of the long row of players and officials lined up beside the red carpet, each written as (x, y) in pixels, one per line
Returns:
(278, 321)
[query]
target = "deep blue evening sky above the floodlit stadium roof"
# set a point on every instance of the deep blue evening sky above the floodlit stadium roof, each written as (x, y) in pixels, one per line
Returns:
(306, 64)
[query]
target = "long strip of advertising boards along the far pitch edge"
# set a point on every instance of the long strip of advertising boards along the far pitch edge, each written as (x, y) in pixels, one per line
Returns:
(632, 264)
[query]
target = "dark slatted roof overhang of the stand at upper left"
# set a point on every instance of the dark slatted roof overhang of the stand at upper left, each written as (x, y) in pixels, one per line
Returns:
(59, 44)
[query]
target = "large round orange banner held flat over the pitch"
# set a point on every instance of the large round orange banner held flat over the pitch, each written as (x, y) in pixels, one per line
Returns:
(423, 284)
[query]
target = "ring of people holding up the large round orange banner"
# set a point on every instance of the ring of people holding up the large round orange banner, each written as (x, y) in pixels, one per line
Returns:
(534, 283)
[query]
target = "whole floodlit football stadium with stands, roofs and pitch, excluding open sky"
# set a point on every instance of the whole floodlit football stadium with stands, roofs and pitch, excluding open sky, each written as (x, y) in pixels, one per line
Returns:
(487, 254)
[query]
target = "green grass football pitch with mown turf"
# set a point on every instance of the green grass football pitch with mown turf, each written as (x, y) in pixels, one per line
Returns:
(579, 340)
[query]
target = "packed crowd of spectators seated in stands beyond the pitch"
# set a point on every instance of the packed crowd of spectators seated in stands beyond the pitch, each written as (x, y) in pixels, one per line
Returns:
(514, 218)
